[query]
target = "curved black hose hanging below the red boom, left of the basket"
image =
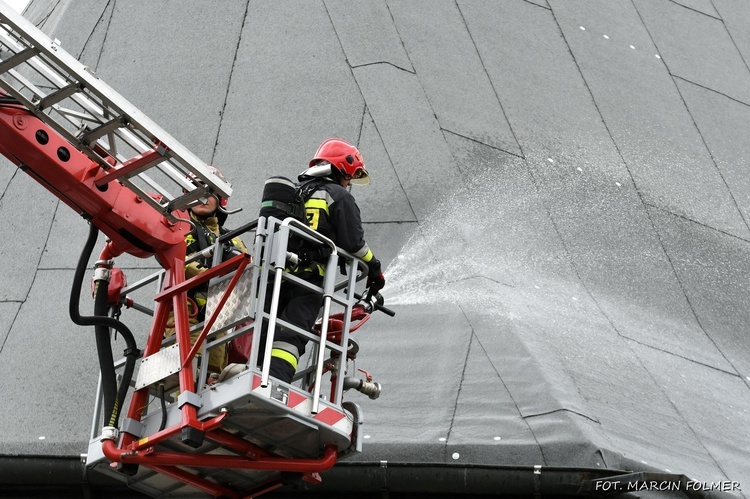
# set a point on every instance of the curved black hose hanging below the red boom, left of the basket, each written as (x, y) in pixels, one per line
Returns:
(113, 398)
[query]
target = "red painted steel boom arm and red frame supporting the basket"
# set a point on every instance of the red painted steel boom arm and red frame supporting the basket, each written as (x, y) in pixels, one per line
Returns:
(135, 227)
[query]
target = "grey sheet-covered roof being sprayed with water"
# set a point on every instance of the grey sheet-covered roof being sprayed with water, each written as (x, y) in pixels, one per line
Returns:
(561, 193)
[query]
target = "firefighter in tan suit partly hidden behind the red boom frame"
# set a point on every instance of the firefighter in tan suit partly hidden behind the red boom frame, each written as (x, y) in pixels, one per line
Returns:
(208, 223)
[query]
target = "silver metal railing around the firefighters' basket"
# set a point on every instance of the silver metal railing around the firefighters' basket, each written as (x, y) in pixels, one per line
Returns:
(267, 272)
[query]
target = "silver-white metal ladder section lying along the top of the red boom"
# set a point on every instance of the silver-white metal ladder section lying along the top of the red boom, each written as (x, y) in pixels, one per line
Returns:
(94, 118)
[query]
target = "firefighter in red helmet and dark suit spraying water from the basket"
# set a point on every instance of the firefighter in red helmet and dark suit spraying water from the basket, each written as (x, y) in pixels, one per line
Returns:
(332, 211)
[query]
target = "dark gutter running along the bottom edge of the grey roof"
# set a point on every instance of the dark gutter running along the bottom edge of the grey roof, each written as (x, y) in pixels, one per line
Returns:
(377, 477)
